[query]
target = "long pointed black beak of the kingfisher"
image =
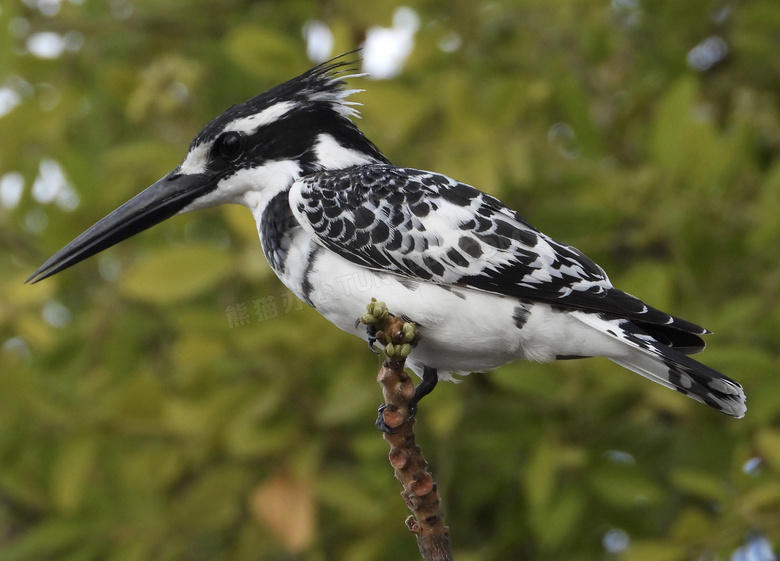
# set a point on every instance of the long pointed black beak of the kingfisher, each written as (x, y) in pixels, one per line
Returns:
(158, 202)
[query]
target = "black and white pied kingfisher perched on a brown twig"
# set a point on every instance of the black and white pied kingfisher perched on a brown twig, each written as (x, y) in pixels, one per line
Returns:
(340, 224)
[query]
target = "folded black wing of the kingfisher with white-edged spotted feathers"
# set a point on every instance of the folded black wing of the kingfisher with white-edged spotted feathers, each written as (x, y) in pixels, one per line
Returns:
(430, 227)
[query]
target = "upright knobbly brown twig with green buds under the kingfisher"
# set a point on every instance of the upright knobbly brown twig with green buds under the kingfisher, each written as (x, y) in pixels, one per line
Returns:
(420, 492)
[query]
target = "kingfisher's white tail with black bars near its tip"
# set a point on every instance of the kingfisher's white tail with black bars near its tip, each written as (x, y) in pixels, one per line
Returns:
(671, 368)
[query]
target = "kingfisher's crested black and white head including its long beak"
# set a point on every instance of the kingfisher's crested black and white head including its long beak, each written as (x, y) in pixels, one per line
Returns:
(247, 155)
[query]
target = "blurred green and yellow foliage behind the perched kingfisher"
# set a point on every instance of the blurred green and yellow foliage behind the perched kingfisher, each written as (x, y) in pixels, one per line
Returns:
(136, 424)
